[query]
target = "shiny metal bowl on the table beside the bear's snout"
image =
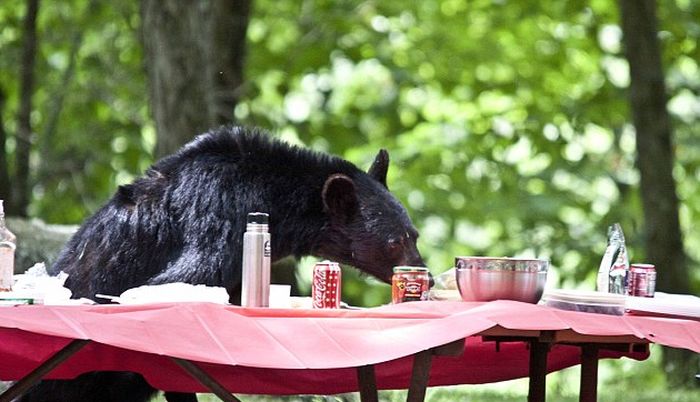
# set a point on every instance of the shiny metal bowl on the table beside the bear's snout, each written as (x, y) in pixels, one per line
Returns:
(492, 278)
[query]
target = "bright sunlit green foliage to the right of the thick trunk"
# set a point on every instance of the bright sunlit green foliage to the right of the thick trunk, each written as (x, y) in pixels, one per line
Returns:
(507, 122)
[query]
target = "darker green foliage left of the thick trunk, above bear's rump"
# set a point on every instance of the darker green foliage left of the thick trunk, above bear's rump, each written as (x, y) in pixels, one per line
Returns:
(90, 108)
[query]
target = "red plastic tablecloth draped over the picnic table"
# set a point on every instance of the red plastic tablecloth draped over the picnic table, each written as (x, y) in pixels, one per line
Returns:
(276, 351)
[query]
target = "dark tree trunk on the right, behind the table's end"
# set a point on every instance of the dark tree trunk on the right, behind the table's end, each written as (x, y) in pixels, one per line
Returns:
(663, 239)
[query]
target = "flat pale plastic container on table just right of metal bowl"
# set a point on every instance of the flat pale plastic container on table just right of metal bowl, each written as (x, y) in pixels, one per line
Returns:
(586, 301)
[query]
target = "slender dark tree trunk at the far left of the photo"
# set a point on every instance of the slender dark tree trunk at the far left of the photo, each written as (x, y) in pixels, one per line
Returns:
(21, 189)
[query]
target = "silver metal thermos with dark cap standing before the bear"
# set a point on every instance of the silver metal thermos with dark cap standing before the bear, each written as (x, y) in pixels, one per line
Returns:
(255, 286)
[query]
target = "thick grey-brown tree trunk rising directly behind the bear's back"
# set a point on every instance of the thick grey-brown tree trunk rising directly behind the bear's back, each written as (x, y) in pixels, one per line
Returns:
(194, 53)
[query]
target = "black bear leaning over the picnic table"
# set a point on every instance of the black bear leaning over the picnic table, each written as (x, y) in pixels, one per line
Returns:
(184, 222)
